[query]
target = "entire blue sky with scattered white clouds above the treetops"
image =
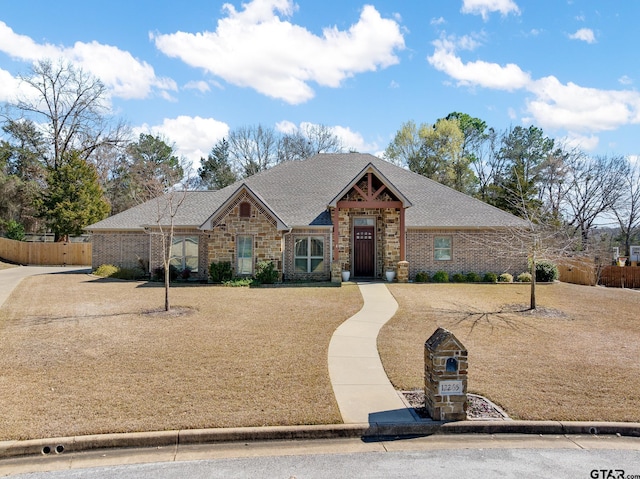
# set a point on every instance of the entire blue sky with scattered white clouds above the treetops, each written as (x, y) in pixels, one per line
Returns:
(194, 70)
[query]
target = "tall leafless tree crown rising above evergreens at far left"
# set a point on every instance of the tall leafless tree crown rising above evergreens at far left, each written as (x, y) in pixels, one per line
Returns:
(72, 105)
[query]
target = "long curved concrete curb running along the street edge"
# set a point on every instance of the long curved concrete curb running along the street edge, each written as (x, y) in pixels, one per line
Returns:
(368, 432)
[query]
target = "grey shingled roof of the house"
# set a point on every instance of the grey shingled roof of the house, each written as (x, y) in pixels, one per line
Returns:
(299, 192)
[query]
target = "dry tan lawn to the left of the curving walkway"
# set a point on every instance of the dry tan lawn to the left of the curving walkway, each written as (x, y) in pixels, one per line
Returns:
(81, 355)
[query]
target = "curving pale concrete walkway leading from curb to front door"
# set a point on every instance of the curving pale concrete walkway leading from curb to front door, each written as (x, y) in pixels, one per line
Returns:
(361, 387)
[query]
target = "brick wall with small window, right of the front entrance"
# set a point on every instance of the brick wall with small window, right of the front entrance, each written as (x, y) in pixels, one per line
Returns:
(478, 251)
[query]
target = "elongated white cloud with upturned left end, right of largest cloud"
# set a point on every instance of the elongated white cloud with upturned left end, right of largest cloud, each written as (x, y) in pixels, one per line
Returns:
(489, 75)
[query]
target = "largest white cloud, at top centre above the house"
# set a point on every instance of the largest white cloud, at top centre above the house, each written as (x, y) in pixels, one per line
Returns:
(253, 48)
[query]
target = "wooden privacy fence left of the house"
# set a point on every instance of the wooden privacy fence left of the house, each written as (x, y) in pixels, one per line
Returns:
(45, 253)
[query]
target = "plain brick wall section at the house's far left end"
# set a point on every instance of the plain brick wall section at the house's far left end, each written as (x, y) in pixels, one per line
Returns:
(120, 249)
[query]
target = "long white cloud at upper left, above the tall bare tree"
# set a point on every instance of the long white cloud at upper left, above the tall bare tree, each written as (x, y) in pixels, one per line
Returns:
(124, 75)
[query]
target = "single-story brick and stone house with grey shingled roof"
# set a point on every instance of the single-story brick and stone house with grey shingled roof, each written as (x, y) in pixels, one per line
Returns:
(314, 219)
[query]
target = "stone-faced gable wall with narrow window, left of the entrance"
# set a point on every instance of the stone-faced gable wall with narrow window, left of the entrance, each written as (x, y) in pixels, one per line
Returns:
(267, 240)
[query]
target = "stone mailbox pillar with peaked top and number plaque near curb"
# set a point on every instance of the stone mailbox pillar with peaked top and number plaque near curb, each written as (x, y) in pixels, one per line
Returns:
(445, 377)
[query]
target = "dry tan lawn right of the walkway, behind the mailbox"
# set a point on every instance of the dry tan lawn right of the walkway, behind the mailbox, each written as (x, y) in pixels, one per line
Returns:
(574, 359)
